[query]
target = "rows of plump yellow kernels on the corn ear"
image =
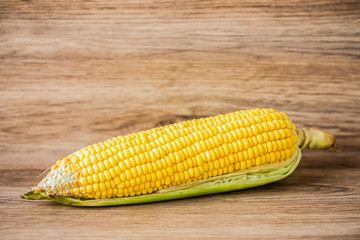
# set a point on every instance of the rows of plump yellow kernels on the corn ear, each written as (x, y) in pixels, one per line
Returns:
(148, 161)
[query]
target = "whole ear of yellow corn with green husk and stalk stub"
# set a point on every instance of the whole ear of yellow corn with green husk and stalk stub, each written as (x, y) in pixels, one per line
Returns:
(202, 156)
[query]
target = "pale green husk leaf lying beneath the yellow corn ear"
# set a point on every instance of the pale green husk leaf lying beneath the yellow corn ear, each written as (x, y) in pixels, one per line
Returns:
(254, 177)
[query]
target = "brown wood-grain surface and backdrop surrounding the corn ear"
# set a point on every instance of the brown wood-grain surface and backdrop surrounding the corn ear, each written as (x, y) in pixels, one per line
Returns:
(77, 72)
